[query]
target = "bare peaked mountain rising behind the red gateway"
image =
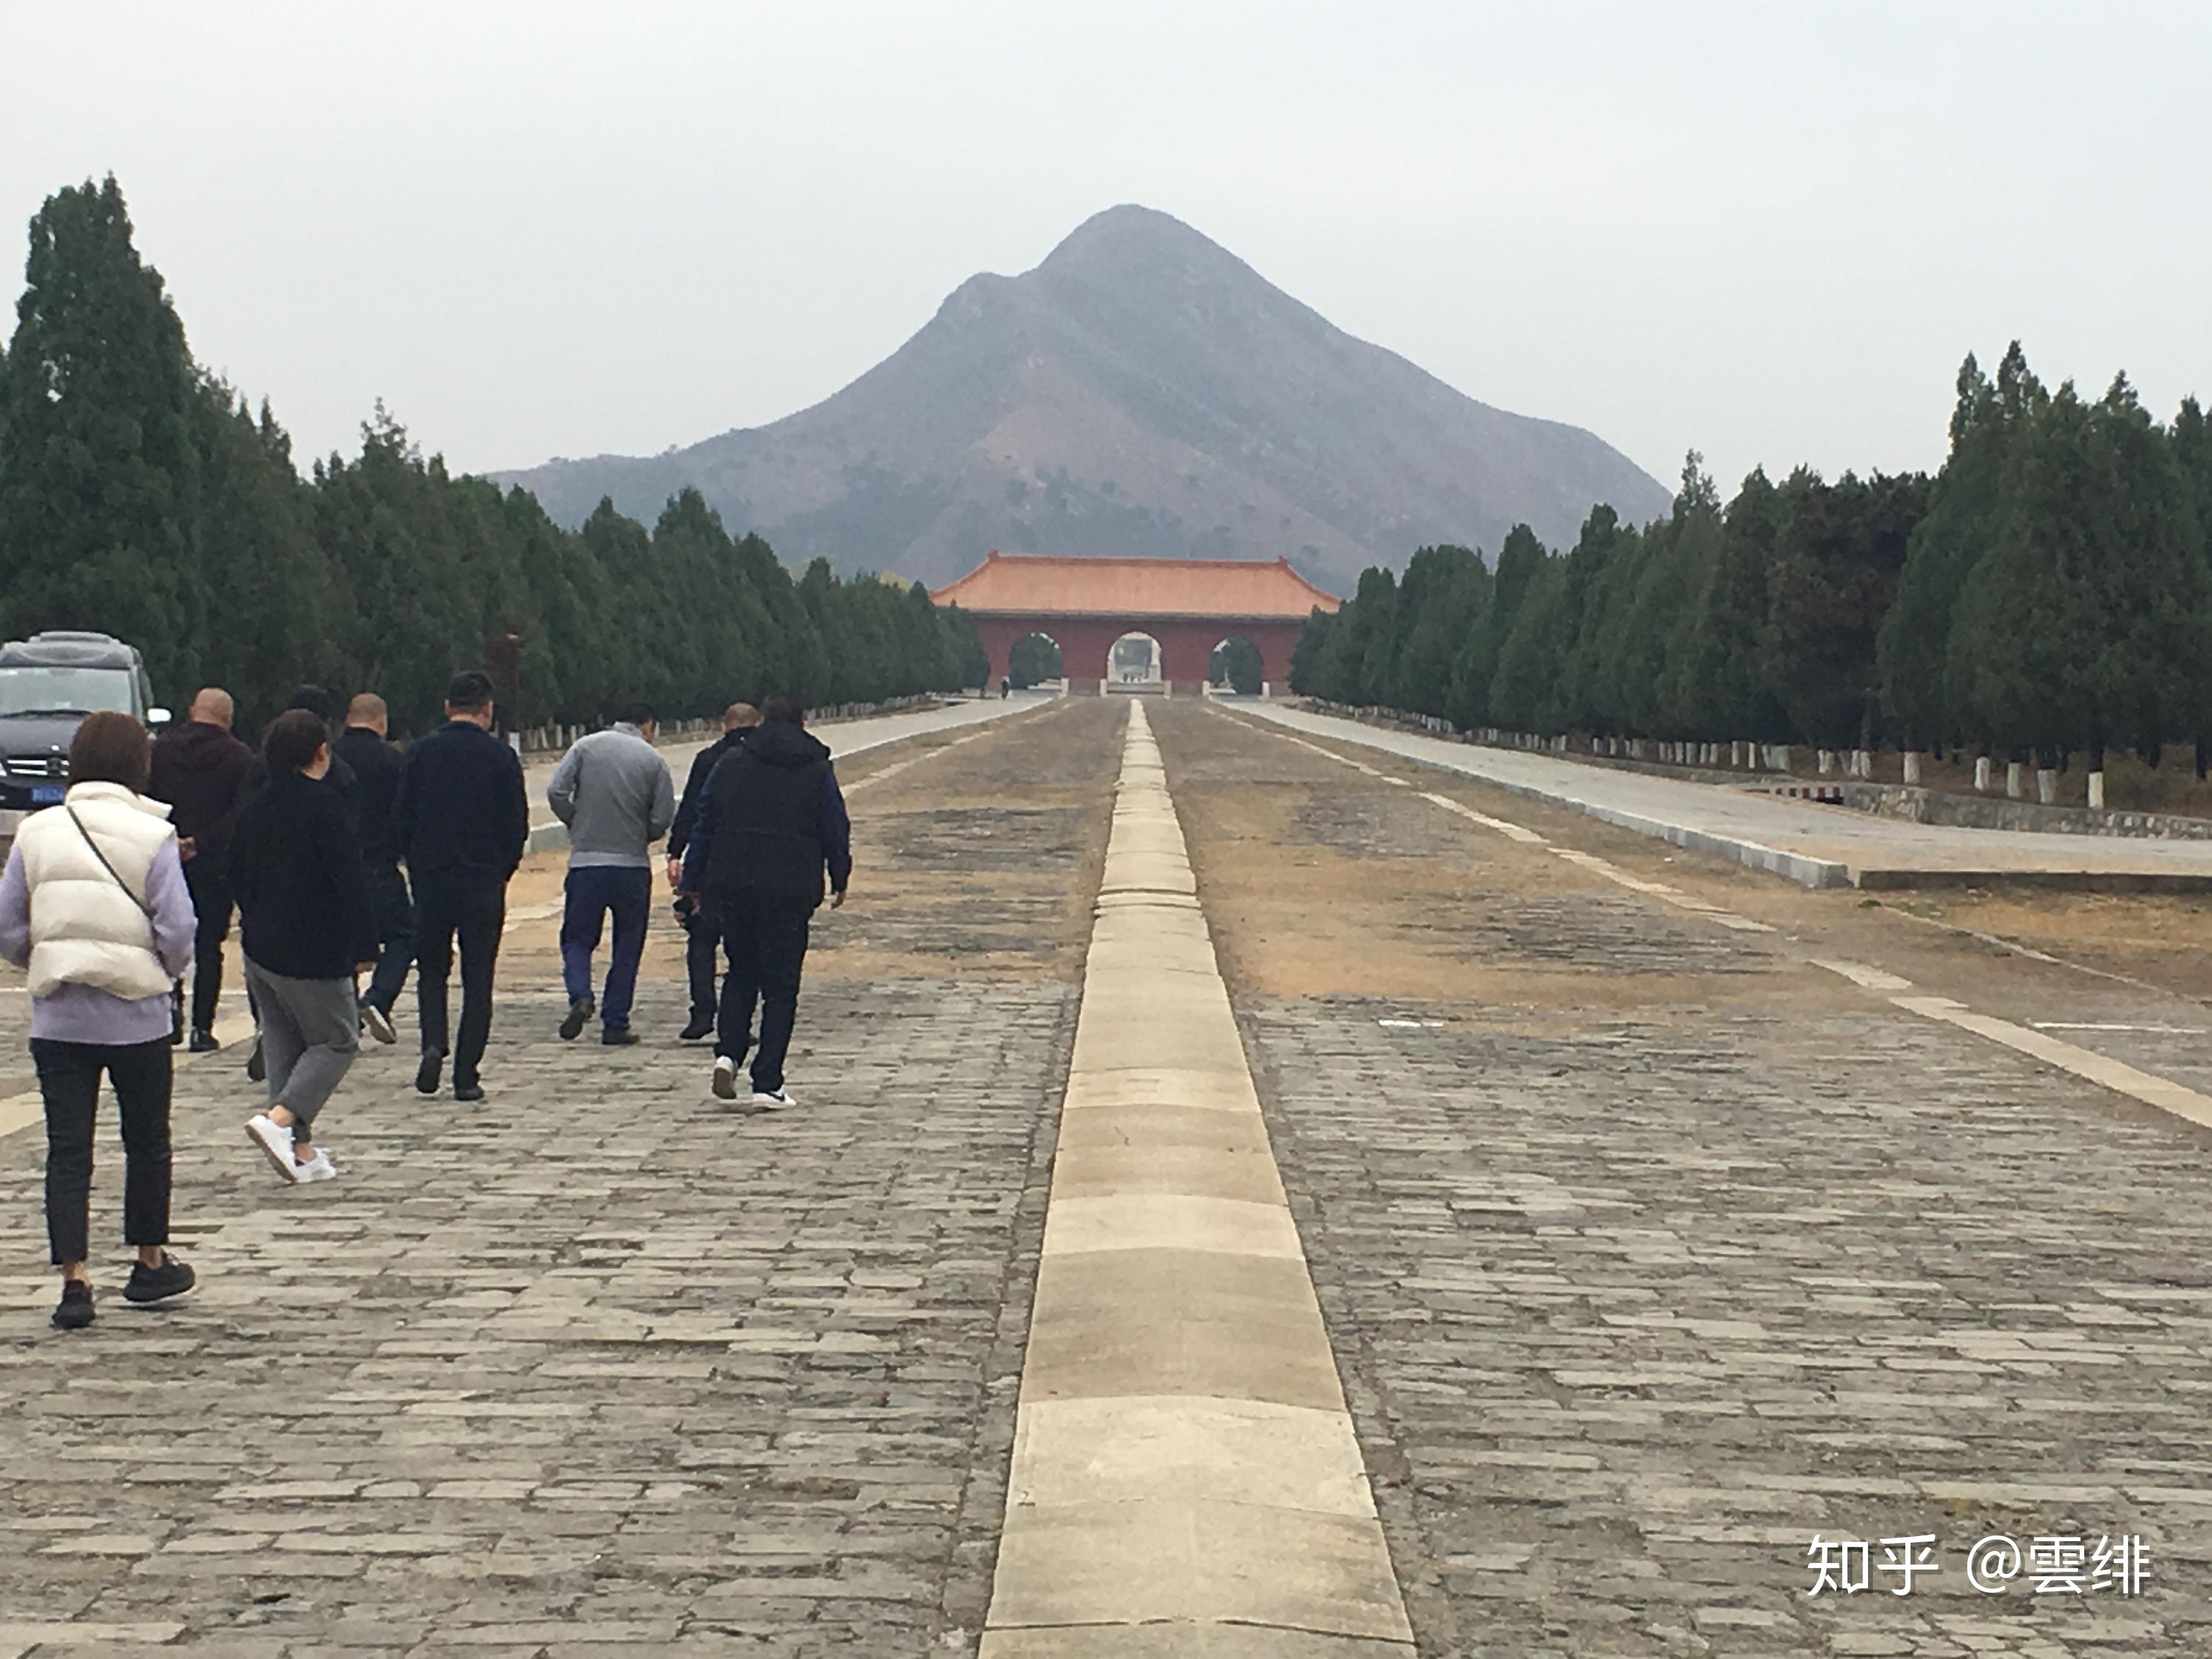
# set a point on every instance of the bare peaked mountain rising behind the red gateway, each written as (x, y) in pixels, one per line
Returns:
(1142, 393)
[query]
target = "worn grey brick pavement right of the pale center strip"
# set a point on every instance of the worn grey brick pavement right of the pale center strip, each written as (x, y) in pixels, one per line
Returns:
(1647, 1266)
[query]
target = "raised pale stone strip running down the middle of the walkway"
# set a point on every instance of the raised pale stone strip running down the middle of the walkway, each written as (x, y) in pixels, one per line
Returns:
(1185, 1474)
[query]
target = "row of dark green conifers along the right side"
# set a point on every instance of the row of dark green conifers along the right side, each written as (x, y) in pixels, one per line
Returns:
(2047, 592)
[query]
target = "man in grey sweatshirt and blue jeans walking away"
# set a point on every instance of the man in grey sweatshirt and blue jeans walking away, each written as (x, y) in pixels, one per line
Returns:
(618, 800)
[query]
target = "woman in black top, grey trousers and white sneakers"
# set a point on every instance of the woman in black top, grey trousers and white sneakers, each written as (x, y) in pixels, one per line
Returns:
(304, 928)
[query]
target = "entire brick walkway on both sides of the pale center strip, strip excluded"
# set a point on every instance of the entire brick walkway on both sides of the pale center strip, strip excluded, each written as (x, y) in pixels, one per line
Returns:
(1649, 1249)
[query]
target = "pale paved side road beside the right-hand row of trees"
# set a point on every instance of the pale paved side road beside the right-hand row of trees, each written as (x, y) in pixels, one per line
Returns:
(1808, 842)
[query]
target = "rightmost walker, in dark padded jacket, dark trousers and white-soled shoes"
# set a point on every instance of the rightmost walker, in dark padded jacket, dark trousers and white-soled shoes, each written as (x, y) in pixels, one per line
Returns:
(771, 824)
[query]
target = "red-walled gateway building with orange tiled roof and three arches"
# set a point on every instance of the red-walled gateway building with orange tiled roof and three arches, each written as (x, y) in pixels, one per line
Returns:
(1182, 607)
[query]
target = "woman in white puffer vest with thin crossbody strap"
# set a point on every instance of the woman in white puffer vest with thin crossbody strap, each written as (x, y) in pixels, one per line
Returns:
(94, 904)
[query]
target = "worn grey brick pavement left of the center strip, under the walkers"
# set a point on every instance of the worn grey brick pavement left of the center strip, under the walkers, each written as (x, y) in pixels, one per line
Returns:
(598, 1368)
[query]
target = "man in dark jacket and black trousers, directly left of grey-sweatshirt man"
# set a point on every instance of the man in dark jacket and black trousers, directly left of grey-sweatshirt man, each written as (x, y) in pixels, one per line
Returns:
(463, 820)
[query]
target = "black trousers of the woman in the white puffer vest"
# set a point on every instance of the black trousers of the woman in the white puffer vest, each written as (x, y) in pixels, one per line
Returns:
(70, 1081)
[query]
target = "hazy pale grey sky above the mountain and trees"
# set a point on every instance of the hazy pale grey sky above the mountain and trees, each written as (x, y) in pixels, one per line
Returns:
(1768, 231)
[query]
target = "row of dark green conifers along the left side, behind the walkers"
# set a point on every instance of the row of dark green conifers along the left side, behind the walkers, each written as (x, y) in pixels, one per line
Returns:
(147, 499)
